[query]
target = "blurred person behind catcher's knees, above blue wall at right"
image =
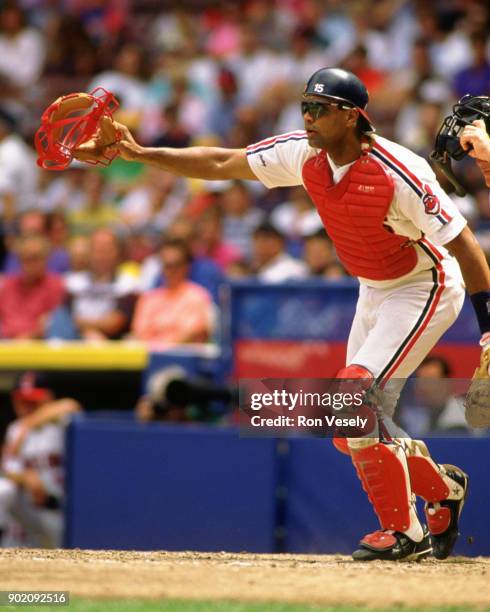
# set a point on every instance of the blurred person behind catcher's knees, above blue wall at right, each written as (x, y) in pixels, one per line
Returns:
(436, 409)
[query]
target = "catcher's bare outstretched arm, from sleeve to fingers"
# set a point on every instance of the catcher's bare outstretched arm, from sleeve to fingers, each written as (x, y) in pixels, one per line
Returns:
(212, 163)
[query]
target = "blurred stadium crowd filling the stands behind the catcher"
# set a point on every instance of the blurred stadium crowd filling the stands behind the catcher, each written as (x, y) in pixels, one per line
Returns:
(95, 253)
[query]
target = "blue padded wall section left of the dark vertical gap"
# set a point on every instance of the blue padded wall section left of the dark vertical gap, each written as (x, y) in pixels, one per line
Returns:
(149, 487)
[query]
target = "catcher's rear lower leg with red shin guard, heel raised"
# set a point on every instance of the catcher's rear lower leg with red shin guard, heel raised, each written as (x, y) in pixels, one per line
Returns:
(444, 489)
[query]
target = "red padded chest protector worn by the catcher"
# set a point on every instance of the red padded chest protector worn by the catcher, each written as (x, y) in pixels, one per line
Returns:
(353, 212)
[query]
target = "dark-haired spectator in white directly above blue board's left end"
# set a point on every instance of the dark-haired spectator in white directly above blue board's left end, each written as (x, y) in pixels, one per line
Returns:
(270, 261)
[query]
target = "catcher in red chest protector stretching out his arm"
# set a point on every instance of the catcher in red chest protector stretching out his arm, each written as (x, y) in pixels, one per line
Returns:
(396, 230)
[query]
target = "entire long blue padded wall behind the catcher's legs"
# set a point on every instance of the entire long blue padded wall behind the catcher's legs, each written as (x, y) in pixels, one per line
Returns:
(167, 487)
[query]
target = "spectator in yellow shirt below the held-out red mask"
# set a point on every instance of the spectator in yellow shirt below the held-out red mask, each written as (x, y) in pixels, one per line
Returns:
(96, 211)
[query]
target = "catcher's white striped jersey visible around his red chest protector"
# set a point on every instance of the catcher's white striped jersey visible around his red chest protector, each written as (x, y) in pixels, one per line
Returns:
(420, 208)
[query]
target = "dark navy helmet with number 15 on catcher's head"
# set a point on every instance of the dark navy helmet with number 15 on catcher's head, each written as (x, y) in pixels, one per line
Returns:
(343, 87)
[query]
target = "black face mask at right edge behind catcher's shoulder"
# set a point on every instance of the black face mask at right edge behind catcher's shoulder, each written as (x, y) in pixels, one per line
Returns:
(468, 109)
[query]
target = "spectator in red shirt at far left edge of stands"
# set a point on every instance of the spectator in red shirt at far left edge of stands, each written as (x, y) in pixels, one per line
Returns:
(29, 297)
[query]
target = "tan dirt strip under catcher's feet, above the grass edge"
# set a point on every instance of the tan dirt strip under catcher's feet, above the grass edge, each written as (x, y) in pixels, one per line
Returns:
(328, 579)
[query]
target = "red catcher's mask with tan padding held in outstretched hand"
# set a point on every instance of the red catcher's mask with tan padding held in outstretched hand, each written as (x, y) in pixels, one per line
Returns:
(72, 120)
